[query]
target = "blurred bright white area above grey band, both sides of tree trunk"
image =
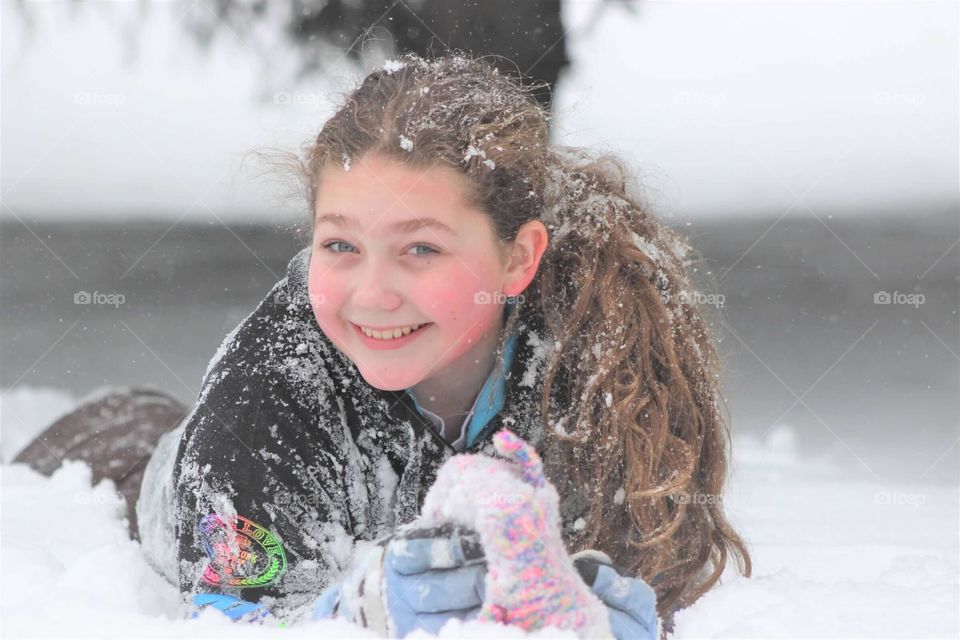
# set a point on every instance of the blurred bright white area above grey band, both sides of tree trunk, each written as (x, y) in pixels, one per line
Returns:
(724, 107)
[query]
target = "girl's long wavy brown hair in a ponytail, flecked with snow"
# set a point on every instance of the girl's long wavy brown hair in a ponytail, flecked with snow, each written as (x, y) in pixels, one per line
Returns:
(647, 435)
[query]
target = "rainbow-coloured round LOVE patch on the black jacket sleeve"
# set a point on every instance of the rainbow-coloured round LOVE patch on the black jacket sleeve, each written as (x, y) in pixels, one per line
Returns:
(242, 553)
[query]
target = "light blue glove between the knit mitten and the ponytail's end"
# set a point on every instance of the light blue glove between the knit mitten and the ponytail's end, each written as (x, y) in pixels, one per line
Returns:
(631, 602)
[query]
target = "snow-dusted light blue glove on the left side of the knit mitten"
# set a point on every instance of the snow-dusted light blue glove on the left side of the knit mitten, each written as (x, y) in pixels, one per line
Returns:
(428, 576)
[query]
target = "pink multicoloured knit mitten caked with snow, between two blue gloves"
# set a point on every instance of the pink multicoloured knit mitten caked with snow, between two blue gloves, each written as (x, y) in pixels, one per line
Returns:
(531, 582)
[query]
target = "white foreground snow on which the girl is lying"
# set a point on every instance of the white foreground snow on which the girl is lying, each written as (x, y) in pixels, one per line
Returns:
(836, 554)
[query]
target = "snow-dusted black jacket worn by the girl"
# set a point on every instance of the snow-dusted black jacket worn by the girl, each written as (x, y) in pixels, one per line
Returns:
(290, 456)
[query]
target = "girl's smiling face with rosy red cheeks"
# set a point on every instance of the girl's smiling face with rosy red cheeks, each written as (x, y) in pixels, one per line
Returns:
(394, 247)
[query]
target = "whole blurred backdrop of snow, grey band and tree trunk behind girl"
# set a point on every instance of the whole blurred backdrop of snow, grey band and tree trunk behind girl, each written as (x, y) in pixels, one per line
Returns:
(809, 150)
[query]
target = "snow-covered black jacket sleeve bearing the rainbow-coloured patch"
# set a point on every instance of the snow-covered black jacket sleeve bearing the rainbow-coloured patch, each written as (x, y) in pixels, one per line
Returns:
(260, 500)
